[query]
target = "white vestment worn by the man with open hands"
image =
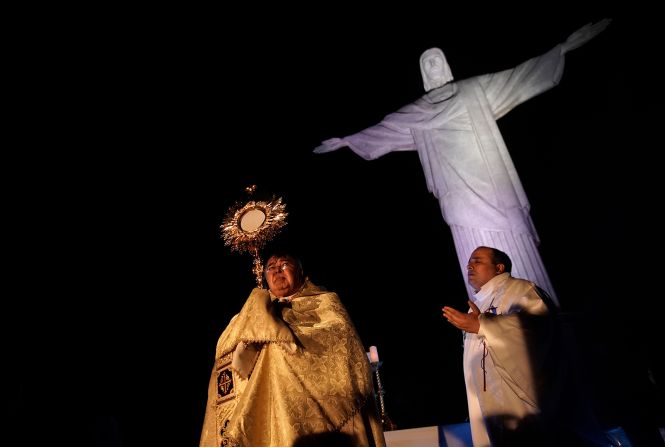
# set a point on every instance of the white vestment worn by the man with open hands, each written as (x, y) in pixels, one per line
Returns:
(504, 361)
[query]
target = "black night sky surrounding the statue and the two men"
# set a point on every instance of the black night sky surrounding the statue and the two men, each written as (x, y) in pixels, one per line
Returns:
(168, 118)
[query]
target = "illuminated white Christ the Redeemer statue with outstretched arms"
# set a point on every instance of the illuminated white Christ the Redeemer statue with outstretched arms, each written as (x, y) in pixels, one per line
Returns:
(466, 163)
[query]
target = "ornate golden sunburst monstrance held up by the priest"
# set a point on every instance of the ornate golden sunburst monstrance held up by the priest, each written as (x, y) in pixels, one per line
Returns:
(249, 225)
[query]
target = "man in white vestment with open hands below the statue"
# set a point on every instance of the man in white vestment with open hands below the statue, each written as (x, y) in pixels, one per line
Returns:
(514, 361)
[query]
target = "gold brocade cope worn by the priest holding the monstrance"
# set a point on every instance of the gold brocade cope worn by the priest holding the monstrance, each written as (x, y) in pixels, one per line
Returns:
(287, 370)
